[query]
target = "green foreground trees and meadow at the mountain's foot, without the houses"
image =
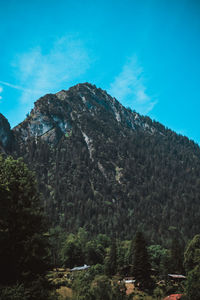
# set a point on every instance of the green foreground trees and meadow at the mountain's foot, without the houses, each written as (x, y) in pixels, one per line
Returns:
(30, 249)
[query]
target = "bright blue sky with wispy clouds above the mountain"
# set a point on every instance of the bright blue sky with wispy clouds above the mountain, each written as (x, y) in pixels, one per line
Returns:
(146, 53)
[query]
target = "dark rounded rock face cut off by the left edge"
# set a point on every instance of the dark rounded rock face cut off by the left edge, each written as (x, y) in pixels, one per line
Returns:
(5, 134)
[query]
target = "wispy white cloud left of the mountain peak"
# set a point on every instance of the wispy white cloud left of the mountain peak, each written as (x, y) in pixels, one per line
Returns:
(42, 71)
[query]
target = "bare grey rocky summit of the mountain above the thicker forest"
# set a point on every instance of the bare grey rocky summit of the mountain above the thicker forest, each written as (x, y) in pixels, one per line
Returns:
(53, 114)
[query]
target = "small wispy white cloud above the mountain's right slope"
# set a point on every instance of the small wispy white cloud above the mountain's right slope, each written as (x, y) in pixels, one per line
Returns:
(129, 88)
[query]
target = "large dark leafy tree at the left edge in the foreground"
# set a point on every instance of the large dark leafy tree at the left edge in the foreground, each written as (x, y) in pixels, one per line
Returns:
(23, 244)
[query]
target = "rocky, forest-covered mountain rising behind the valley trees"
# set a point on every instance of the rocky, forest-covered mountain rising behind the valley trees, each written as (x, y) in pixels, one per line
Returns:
(107, 168)
